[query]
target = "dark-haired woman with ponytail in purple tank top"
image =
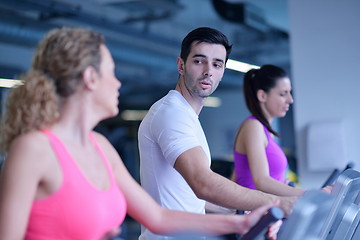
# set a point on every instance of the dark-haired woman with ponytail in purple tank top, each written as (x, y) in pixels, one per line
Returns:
(259, 161)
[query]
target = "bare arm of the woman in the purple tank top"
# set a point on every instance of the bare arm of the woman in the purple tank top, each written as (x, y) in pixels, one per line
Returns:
(254, 142)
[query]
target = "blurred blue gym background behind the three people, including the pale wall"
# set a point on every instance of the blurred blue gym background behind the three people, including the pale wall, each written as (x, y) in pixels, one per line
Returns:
(317, 42)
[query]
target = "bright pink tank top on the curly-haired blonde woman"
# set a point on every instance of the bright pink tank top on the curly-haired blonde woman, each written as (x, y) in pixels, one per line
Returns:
(78, 210)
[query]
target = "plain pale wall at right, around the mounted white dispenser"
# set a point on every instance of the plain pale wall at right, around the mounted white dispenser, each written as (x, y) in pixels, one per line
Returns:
(325, 55)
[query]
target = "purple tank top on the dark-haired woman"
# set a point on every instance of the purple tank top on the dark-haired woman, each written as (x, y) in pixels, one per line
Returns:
(276, 159)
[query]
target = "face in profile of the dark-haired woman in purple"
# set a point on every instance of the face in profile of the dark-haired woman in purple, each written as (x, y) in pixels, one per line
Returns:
(276, 102)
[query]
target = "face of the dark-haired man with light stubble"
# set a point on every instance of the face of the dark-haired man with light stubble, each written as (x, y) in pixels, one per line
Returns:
(204, 68)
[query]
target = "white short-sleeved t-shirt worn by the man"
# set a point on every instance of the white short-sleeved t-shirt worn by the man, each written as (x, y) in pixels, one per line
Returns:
(170, 128)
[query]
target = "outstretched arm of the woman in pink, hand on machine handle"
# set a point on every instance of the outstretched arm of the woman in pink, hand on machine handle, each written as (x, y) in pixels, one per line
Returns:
(163, 221)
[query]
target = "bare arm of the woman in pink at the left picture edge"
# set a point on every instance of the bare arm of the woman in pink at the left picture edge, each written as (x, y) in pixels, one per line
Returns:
(19, 181)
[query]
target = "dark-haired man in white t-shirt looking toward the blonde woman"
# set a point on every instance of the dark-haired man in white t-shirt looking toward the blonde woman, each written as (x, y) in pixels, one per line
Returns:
(174, 154)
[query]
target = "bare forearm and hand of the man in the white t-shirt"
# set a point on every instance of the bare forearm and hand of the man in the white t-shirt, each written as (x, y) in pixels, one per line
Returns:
(212, 187)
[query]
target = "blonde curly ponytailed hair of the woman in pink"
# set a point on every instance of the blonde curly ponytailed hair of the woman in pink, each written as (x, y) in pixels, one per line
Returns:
(56, 73)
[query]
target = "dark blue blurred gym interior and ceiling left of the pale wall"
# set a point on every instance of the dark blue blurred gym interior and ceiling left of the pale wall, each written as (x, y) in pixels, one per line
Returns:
(145, 38)
